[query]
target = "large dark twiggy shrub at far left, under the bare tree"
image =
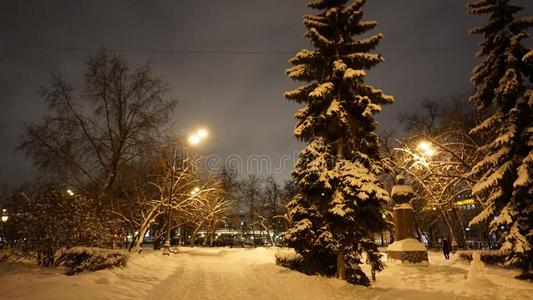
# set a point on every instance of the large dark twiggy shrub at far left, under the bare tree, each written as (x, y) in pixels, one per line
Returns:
(44, 219)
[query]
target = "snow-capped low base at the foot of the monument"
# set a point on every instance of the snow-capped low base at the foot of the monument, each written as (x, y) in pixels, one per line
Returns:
(408, 251)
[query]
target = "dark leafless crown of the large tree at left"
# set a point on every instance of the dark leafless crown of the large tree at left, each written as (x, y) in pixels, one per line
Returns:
(90, 133)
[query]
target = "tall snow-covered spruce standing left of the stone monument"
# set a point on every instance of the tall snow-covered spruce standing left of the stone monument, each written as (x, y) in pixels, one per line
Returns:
(340, 203)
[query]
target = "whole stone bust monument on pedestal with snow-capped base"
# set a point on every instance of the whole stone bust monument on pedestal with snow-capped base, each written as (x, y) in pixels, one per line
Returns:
(405, 249)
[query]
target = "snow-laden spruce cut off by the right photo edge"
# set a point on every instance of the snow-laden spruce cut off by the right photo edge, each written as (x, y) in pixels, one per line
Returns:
(504, 94)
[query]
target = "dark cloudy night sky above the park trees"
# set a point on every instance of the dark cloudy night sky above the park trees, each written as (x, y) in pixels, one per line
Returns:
(237, 95)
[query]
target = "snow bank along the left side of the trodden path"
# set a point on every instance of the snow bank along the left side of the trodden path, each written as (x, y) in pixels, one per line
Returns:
(143, 272)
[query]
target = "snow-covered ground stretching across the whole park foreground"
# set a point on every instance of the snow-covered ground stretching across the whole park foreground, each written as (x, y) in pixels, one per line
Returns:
(221, 273)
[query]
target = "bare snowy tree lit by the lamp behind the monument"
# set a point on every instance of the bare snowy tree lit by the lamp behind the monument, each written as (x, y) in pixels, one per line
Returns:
(440, 175)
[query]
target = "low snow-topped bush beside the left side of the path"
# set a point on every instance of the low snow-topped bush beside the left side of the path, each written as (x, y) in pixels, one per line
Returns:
(79, 259)
